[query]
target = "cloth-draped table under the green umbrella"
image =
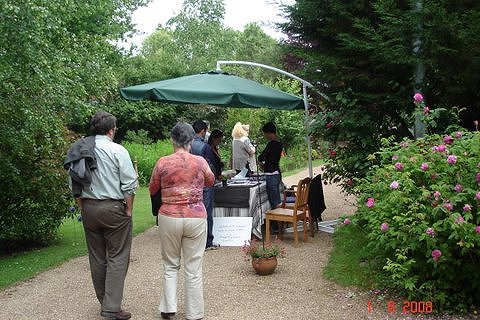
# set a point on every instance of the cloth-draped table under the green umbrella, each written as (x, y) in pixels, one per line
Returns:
(242, 200)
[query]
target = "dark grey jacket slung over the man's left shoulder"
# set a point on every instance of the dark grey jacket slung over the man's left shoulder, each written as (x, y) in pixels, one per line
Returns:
(79, 162)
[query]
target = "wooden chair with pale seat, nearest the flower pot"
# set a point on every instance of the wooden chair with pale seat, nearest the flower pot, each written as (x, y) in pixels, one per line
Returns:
(299, 212)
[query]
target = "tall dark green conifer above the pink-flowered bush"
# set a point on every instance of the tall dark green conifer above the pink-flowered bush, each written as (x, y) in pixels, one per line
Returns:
(361, 54)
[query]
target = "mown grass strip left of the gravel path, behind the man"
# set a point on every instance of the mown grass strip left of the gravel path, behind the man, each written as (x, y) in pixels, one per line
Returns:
(71, 244)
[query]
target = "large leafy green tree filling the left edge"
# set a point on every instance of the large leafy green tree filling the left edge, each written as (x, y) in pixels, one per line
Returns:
(57, 61)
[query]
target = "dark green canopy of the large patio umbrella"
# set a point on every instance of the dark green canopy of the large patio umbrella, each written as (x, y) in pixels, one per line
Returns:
(214, 88)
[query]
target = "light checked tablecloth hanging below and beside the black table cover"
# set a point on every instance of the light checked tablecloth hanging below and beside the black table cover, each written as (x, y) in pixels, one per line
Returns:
(254, 210)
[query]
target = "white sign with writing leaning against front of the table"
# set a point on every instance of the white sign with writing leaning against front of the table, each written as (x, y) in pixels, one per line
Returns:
(232, 231)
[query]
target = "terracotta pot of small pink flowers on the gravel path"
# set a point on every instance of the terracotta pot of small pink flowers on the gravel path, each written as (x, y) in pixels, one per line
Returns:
(264, 255)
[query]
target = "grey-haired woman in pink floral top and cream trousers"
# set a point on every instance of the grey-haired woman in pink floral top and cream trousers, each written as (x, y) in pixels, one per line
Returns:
(182, 221)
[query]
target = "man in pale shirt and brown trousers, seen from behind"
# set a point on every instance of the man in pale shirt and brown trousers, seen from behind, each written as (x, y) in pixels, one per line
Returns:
(107, 216)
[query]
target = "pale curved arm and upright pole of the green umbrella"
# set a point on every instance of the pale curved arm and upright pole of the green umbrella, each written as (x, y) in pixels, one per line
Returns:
(305, 85)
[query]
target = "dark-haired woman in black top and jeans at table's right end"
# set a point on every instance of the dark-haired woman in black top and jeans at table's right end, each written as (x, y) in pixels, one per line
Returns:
(270, 161)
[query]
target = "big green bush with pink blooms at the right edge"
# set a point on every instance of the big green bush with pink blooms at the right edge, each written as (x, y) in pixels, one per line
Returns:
(422, 216)
